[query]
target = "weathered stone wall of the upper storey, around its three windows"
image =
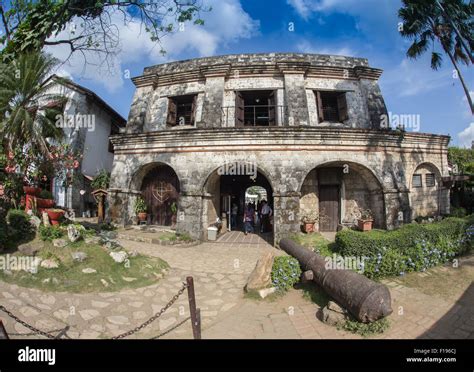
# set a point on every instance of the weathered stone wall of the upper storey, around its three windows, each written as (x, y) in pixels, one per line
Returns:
(294, 76)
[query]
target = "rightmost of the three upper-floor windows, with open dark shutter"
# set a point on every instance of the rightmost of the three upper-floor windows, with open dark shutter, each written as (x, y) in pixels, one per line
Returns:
(332, 106)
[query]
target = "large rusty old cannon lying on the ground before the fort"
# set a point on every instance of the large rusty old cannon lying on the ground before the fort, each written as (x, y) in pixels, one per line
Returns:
(365, 299)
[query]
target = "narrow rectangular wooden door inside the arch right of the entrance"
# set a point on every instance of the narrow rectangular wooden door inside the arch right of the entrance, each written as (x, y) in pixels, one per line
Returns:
(329, 207)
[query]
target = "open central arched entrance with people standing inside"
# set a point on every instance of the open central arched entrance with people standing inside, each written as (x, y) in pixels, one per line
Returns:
(228, 191)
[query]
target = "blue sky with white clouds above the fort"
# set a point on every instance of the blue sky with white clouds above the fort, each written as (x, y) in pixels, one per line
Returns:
(361, 28)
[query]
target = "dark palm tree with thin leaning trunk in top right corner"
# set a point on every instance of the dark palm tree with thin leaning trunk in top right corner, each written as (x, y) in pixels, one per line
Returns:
(428, 24)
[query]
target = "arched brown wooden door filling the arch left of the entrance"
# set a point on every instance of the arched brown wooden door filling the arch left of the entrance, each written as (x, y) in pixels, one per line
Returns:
(161, 190)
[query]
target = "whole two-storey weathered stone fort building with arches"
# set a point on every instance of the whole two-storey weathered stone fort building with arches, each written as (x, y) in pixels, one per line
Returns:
(310, 129)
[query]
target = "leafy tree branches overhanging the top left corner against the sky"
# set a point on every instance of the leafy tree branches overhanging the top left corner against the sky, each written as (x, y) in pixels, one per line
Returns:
(90, 25)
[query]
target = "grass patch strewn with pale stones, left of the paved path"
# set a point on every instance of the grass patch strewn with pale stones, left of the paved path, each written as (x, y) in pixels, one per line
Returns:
(138, 271)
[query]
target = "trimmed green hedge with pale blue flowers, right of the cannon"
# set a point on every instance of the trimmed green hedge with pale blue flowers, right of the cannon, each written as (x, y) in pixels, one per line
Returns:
(413, 247)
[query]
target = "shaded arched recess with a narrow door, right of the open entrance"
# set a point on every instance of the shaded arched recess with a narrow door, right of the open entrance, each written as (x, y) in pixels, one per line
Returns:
(338, 191)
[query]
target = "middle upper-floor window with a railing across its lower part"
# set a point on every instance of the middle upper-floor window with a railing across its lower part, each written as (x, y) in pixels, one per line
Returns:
(255, 108)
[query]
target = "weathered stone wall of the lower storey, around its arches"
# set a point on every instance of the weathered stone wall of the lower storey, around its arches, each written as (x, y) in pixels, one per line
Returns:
(285, 156)
